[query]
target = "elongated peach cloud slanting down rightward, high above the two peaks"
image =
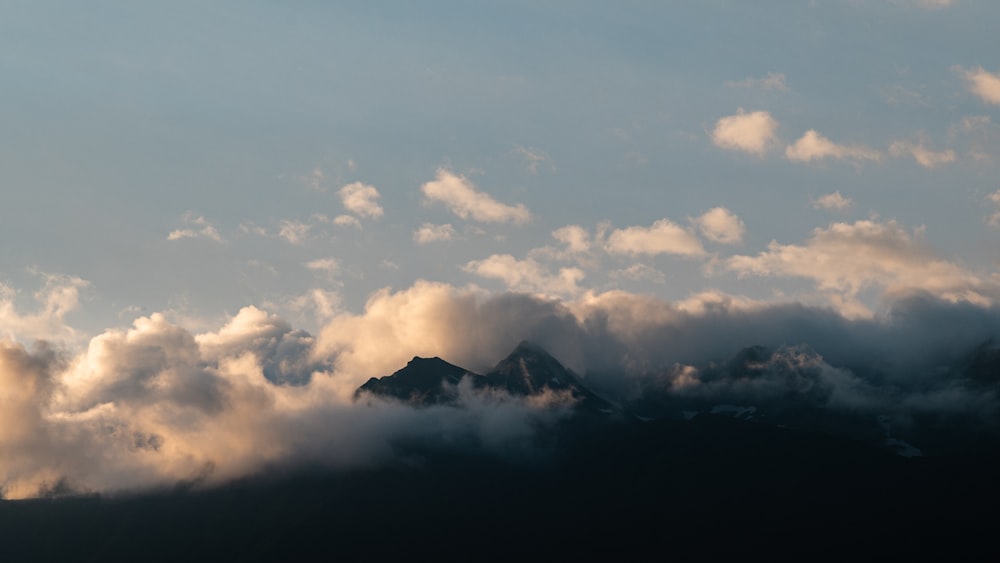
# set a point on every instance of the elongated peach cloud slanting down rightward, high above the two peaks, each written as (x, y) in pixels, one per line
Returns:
(461, 197)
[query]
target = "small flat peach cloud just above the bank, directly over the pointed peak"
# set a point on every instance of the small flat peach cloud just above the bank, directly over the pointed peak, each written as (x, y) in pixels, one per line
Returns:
(527, 275)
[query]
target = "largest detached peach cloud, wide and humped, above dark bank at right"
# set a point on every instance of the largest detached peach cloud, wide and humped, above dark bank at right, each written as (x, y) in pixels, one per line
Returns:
(848, 257)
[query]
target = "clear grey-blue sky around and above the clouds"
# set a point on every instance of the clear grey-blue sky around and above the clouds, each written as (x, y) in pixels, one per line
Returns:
(124, 123)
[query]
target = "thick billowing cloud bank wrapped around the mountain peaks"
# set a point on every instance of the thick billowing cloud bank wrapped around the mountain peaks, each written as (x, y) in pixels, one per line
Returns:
(155, 404)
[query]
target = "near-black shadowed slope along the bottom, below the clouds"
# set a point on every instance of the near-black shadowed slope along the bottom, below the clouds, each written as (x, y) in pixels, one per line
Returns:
(707, 488)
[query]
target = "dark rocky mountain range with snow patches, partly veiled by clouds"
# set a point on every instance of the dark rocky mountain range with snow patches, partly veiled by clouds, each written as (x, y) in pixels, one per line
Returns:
(530, 371)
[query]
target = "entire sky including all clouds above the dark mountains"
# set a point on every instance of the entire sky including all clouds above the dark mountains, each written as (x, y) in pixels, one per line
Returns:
(305, 188)
